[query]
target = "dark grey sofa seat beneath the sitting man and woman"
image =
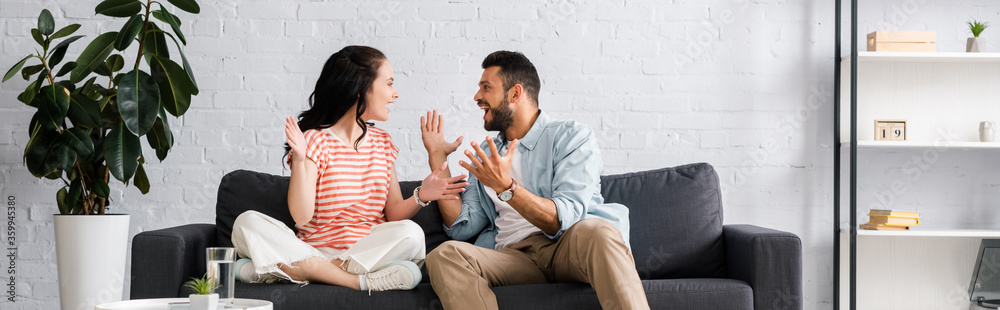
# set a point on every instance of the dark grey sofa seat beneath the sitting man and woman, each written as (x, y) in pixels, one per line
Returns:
(687, 294)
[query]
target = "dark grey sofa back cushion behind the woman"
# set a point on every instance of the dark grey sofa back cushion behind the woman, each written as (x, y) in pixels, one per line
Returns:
(244, 190)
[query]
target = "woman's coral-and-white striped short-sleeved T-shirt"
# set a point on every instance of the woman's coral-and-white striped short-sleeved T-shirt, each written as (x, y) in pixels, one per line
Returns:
(351, 189)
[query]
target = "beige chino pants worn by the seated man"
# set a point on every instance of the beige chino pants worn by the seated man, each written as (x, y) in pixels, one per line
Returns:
(591, 251)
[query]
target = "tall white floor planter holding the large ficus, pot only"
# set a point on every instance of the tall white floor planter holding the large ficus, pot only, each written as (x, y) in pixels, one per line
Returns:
(90, 252)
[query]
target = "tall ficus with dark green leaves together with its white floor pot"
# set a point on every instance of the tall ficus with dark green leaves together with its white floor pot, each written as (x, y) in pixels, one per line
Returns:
(90, 116)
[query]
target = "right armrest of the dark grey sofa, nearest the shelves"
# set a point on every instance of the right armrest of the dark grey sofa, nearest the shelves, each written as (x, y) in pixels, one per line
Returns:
(770, 261)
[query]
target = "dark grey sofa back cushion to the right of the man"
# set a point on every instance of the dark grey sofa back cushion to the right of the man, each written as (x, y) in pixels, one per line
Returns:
(675, 216)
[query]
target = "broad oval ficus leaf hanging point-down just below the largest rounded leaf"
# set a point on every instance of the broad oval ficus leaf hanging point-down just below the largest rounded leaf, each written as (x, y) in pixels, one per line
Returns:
(122, 151)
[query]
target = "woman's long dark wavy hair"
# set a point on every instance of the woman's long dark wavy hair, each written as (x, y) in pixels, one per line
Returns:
(346, 79)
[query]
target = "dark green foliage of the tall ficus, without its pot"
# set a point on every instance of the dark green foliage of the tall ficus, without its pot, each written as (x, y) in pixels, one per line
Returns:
(85, 130)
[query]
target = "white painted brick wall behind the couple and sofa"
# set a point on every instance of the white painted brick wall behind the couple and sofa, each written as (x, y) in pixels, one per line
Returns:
(744, 85)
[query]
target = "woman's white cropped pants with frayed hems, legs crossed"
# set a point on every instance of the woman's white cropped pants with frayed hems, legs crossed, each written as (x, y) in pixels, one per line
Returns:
(270, 243)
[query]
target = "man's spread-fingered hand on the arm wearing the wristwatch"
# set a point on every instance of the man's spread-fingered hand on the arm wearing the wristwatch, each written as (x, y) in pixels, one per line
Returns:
(492, 171)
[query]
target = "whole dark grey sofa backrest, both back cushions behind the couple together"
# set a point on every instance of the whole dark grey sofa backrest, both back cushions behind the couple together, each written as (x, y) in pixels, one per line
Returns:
(675, 215)
